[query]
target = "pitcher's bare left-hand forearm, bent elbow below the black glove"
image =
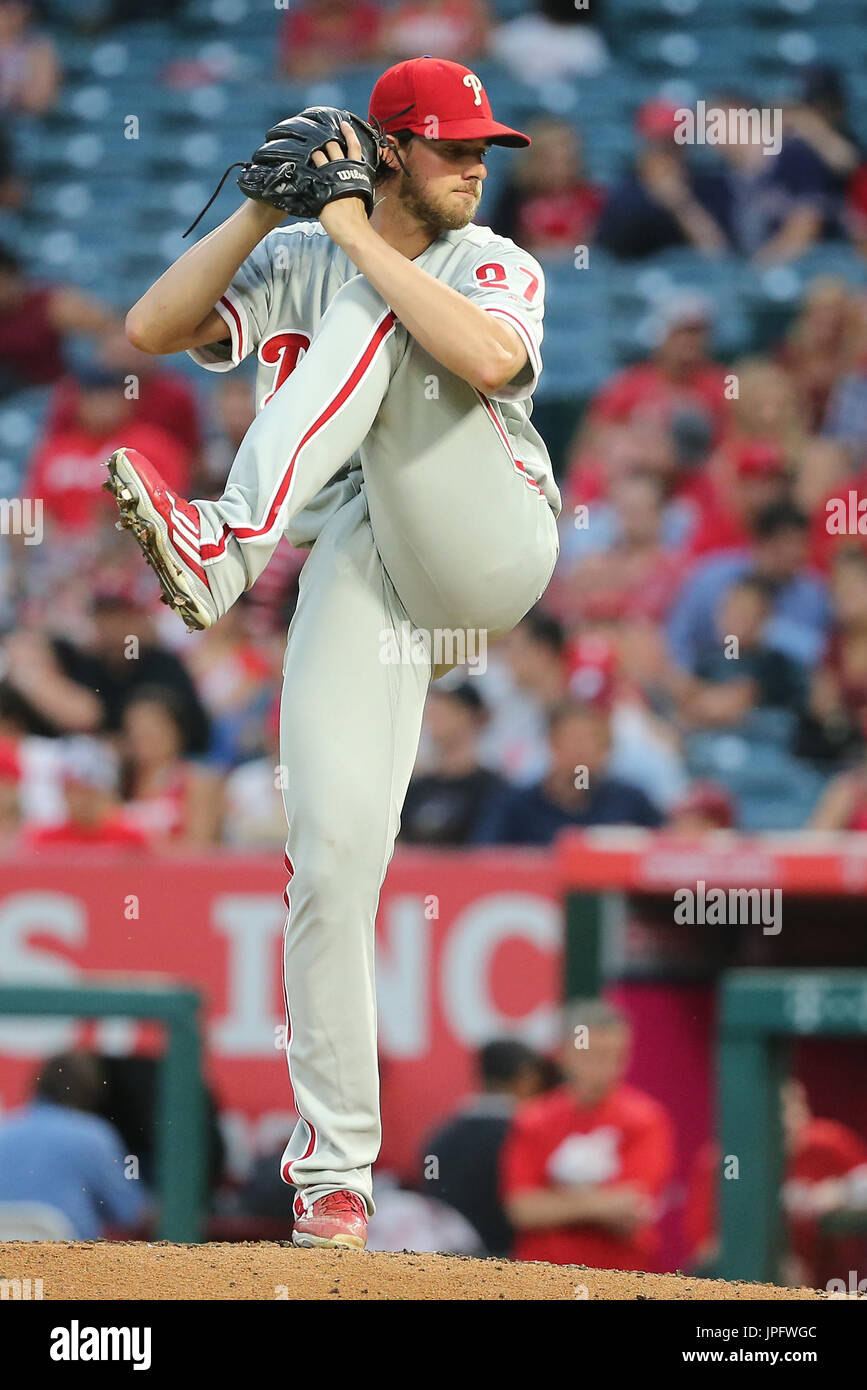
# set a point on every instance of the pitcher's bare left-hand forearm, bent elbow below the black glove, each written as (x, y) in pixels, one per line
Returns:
(179, 311)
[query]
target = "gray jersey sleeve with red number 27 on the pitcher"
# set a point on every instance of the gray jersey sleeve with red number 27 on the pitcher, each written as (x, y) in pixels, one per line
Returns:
(509, 283)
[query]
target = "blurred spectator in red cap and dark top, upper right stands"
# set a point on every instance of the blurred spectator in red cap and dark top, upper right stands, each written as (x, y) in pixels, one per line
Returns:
(662, 202)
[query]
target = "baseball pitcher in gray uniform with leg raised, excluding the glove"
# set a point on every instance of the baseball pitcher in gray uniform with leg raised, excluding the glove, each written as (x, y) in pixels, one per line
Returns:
(397, 358)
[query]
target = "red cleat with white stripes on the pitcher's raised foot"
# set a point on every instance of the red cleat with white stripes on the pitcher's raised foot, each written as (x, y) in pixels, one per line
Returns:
(169, 533)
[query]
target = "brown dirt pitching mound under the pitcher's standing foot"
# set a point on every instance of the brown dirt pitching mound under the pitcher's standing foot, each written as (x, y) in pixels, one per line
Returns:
(267, 1271)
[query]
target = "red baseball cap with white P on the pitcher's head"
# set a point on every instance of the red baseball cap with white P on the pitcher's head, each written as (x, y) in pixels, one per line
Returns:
(441, 101)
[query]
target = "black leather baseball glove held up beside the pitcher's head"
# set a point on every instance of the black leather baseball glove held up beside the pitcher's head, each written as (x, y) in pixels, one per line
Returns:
(283, 173)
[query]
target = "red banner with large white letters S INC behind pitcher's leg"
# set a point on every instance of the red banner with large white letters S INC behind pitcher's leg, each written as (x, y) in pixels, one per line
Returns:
(469, 949)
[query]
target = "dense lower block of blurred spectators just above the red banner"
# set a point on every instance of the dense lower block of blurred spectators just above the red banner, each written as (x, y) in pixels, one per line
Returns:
(702, 593)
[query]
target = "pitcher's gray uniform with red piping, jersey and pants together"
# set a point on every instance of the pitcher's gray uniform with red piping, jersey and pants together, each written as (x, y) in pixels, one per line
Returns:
(430, 511)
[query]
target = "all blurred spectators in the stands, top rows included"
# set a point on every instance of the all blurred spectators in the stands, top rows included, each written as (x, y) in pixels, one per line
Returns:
(702, 594)
